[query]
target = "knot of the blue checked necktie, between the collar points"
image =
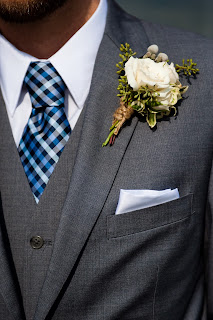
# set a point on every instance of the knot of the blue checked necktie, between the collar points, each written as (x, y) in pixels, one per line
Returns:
(45, 86)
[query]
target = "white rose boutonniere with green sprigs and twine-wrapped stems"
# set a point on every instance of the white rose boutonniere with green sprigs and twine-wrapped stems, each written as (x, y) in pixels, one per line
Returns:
(149, 86)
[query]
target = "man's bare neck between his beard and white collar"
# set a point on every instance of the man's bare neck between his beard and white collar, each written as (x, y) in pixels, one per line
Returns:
(45, 35)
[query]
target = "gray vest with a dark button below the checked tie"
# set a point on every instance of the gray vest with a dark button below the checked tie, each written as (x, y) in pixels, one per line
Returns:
(24, 218)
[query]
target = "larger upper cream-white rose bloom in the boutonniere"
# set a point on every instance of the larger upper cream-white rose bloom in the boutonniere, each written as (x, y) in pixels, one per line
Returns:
(146, 72)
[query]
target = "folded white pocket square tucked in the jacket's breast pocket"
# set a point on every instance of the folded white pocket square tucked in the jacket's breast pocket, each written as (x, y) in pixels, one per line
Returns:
(132, 200)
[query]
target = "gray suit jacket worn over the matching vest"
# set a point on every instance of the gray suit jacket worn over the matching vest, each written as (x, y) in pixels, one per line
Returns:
(148, 264)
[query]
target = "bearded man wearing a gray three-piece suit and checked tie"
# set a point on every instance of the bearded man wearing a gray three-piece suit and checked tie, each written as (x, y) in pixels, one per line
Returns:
(64, 254)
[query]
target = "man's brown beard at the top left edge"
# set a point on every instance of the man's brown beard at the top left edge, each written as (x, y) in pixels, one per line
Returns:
(23, 11)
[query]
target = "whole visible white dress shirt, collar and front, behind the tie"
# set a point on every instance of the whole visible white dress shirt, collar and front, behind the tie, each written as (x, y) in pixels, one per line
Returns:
(74, 62)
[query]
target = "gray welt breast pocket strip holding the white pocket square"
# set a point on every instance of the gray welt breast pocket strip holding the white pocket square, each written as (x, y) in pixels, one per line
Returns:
(149, 218)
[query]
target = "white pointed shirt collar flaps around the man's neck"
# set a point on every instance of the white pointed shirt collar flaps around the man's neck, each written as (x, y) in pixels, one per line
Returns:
(74, 61)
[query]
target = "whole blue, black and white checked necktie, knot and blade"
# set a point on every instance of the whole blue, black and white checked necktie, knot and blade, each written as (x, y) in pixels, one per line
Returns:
(47, 130)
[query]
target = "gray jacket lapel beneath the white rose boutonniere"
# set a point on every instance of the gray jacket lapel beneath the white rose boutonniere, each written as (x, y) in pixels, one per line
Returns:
(95, 168)
